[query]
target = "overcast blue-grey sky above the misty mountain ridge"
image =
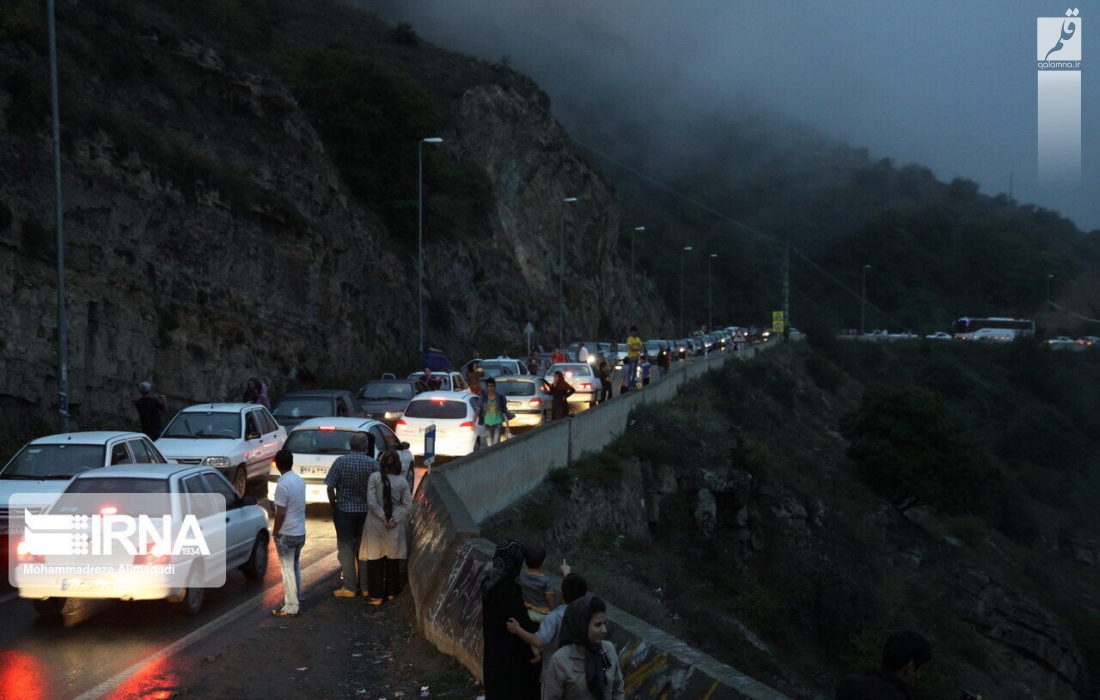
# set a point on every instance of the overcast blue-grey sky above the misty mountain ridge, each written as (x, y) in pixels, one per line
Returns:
(950, 85)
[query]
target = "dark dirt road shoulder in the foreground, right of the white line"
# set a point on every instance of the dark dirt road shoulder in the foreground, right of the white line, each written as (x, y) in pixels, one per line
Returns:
(335, 649)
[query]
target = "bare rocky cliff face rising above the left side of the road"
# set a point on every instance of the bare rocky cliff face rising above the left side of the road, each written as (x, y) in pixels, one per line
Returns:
(208, 238)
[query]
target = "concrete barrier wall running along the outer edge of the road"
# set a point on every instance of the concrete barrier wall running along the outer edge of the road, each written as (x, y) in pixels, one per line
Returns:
(448, 557)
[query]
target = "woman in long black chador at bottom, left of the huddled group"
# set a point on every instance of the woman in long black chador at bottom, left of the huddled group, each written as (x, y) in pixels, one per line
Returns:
(507, 662)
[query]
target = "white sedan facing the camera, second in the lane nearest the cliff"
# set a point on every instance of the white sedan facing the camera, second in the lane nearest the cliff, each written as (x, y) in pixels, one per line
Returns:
(240, 441)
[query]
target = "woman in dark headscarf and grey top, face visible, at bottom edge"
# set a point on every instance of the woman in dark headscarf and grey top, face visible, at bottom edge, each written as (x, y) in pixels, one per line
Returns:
(586, 668)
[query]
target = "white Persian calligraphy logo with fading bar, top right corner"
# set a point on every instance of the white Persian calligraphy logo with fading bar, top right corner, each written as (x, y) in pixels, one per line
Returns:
(1059, 62)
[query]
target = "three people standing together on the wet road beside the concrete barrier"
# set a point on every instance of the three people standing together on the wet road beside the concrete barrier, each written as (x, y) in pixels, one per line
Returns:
(370, 500)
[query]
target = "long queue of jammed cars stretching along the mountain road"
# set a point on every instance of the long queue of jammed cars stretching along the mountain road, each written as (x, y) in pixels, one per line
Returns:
(192, 493)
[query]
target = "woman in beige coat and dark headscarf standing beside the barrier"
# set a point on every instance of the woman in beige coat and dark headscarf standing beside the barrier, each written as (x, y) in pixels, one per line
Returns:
(384, 546)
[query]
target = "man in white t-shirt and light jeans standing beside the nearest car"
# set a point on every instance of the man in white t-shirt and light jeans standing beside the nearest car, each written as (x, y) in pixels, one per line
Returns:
(290, 532)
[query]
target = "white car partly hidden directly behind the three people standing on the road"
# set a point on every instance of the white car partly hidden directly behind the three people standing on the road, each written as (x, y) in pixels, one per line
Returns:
(318, 443)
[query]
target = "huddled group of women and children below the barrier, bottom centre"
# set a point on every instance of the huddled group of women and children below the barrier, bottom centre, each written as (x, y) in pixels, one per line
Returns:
(540, 642)
